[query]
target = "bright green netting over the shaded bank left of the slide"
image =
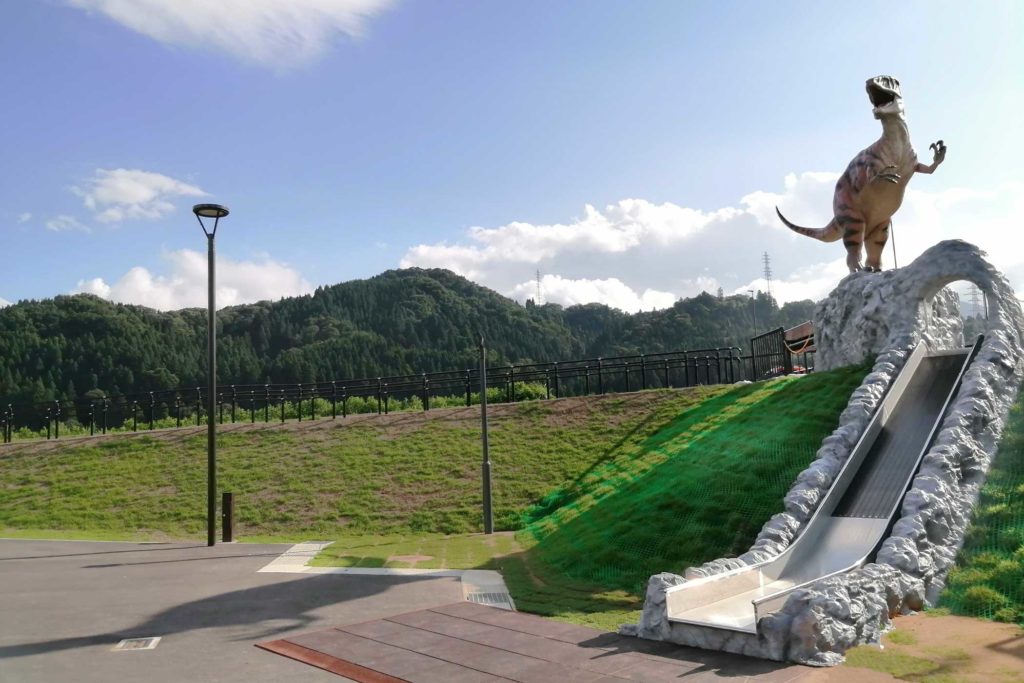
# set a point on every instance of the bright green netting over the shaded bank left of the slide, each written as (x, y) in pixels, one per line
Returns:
(700, 489)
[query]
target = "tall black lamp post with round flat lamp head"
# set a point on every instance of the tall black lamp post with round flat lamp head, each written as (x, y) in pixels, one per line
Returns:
(217, 212)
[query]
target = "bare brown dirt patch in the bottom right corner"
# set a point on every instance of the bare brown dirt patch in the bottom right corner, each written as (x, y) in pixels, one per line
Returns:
(936, 650)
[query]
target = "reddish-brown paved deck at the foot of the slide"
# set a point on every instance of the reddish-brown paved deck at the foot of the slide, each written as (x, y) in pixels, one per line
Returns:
(467, 643)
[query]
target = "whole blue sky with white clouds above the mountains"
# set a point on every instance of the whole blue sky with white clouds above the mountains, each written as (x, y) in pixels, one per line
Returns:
(631, 152)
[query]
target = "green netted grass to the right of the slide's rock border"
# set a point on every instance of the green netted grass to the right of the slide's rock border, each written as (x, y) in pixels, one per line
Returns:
(989, 579)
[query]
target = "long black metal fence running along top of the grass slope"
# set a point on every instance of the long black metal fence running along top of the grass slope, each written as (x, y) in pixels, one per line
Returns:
(266, 403)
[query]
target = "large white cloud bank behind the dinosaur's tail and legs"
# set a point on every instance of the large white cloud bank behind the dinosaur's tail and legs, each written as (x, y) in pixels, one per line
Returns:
(637, 255)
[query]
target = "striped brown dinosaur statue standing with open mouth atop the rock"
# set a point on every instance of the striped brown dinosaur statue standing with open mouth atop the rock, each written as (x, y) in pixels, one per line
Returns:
(872, 189)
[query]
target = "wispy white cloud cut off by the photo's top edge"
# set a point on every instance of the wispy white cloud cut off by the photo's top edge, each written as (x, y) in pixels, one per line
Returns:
(278, 34)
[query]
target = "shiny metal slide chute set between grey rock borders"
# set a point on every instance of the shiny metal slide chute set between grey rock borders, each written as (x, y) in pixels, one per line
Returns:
(858, 513)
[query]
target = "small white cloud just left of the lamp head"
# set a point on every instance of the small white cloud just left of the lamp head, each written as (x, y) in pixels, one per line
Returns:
(118, 195)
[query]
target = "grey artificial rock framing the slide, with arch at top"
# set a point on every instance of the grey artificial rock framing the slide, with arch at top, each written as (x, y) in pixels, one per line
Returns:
(885, 315)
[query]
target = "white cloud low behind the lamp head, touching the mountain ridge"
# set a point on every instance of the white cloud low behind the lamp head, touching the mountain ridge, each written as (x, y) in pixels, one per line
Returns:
(186, 286)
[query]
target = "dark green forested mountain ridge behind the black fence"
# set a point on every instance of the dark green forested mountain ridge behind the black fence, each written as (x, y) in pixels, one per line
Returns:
(397, 323)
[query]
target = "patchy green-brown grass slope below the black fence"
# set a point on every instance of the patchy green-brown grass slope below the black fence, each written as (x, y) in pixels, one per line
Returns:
(399, 474)
